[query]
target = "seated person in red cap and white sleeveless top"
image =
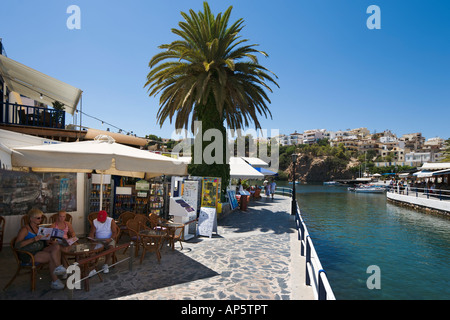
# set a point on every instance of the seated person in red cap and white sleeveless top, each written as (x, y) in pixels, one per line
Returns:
(104, 229)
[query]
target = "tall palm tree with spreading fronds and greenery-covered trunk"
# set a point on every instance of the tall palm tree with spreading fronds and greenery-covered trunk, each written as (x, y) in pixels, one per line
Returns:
(209, 75)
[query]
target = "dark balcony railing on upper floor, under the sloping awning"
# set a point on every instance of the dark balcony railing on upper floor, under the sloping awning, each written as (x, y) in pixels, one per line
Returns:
(17, 114)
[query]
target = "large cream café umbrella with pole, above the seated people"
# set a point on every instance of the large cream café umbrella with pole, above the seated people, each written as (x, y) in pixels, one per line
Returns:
(103, 155)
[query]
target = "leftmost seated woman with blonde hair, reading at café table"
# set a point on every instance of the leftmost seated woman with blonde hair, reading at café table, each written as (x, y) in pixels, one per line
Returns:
(28, 240)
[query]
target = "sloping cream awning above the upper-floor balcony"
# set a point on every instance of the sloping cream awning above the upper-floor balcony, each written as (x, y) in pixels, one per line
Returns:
(38, 86)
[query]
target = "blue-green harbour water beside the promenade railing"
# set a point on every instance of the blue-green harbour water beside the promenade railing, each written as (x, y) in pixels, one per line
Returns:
(353, 231)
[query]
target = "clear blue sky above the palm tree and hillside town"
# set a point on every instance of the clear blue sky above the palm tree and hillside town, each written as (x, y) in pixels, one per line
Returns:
(334, 73)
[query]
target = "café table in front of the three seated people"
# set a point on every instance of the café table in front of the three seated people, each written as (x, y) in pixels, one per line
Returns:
(82, 251)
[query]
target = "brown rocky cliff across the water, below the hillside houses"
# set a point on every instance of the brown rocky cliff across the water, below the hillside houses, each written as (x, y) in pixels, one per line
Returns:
(321, 168)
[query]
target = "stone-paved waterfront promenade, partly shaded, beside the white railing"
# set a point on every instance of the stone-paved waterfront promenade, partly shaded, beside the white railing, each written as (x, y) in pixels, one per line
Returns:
(254, 256)
